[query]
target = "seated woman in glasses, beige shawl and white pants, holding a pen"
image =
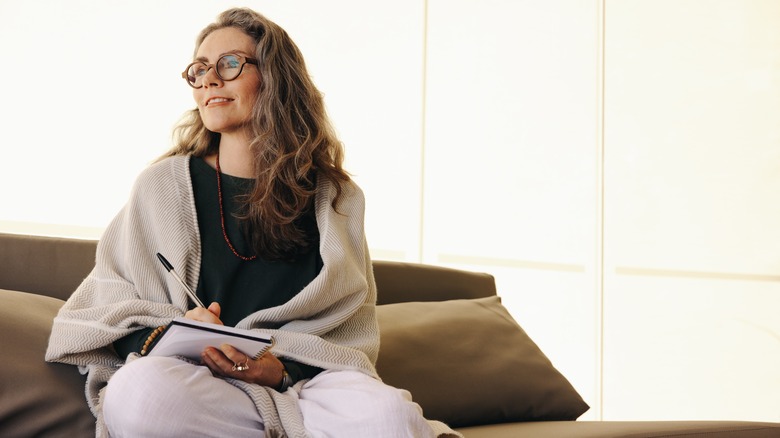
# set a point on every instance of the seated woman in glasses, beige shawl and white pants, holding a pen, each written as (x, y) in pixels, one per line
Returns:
(252, 207)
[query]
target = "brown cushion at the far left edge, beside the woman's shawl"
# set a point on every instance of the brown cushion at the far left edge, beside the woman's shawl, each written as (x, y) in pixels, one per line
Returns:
(37, 398)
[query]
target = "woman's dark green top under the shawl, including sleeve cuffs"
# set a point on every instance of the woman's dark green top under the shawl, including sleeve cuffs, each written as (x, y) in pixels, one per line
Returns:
(240, 287)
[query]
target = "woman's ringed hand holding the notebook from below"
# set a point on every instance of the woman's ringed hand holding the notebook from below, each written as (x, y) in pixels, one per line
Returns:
(227, 361)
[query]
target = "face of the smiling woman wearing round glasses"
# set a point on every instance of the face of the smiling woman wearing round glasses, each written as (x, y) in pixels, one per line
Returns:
(226, 106)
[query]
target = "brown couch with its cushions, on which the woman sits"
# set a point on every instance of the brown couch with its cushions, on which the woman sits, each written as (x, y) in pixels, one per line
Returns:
(445, 337)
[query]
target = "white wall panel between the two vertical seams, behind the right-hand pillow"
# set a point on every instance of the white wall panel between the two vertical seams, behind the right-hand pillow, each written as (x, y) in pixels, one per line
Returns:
(512, 164)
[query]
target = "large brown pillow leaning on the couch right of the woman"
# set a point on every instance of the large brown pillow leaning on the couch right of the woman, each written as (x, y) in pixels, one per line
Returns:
(467, 362)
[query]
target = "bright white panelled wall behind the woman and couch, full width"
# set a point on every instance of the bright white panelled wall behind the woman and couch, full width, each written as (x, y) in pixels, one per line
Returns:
(614, 163)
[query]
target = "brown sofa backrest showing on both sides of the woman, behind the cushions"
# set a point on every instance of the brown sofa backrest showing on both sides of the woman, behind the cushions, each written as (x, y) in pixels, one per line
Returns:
(55, 266)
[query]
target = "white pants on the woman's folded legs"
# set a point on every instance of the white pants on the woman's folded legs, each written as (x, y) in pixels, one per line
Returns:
(167, 397)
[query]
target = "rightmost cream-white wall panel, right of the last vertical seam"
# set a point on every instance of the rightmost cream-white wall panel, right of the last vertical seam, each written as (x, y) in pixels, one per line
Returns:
(692, 235)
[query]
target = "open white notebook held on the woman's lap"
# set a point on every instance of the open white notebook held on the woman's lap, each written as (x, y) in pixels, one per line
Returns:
(187, 338)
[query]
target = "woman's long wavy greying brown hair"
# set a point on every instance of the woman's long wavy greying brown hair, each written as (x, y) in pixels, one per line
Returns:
(293, 142)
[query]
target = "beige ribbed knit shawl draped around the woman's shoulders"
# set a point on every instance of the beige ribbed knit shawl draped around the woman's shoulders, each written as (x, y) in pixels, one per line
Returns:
(331, 324)
